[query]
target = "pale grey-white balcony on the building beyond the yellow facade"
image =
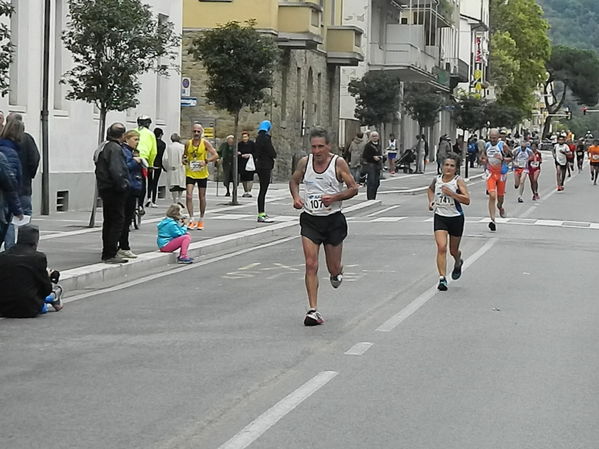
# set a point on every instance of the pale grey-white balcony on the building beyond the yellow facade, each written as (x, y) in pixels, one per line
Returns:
(404, 52)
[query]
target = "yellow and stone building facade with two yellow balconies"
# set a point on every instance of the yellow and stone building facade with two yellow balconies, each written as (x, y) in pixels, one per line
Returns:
(306, 91)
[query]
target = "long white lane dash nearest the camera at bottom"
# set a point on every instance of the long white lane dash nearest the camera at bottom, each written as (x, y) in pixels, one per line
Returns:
(260, 425)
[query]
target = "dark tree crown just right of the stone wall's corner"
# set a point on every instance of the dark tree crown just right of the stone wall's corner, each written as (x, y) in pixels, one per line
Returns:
(377, 97)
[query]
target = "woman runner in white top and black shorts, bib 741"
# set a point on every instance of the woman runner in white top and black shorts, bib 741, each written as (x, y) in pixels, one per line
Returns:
(446, 194)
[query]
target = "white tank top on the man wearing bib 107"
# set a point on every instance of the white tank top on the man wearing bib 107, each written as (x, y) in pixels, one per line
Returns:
(319, 184)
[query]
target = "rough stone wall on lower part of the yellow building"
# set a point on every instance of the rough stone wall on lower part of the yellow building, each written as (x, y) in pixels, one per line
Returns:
(305, 94)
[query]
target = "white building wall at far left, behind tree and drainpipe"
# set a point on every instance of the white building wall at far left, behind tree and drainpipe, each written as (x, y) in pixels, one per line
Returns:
(73, 126)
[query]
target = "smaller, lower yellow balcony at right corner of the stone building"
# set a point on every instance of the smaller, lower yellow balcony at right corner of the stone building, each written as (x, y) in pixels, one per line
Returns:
(344, 45)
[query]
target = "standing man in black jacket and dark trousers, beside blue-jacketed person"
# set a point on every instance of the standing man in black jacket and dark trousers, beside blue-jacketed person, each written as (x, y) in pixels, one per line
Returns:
(112, 176)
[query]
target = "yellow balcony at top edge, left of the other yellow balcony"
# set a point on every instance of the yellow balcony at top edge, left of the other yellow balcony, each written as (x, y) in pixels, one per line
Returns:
(300, 25)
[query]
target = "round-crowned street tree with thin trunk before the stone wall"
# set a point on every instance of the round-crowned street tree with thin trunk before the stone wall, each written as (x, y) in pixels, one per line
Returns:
(240, 63)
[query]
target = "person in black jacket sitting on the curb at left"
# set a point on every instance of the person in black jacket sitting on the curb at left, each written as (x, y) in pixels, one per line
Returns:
(26, 284)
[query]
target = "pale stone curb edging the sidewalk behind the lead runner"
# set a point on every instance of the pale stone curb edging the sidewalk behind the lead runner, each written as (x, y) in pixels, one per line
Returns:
(82, 278)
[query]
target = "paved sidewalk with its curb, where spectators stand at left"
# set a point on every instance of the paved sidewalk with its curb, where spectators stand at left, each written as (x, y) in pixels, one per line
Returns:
(74, 249)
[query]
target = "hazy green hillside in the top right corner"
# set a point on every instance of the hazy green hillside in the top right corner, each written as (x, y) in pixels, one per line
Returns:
(573, 22)
